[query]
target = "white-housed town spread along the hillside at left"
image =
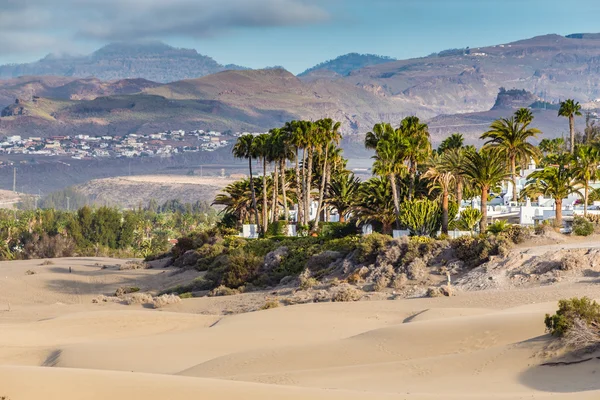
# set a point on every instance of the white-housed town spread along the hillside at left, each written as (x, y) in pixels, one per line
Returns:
(82, 146)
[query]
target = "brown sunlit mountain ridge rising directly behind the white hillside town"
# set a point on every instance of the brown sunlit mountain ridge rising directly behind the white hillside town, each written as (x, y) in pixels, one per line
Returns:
(252, 100)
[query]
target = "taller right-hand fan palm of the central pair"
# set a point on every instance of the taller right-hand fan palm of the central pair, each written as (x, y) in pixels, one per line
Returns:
(418, 147)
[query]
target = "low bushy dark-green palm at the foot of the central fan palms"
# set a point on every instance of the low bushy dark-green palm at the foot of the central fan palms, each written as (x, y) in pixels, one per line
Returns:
(374, 203)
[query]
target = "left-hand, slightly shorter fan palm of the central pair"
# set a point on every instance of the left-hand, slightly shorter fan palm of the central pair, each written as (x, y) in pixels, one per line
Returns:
(389, 157)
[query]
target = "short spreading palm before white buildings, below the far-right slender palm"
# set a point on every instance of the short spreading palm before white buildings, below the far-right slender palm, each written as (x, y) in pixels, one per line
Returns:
(557, 181)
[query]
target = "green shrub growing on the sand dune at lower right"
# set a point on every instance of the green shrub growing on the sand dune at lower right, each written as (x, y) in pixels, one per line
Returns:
(569, 311)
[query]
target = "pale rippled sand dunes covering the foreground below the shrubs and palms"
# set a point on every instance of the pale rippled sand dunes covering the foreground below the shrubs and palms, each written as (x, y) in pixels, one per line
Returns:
(56, 344)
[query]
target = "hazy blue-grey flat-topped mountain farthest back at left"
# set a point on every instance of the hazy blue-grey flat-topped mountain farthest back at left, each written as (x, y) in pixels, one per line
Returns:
(150, 60)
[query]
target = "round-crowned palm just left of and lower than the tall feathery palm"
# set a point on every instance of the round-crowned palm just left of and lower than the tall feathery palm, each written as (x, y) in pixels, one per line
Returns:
(486, 169)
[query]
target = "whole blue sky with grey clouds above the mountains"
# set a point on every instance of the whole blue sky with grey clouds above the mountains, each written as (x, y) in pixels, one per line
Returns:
(296, 34)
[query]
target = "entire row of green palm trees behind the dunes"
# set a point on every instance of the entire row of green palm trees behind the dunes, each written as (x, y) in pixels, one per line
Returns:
(406, 169)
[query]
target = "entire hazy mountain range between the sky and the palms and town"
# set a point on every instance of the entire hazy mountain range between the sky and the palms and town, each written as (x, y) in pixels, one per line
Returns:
(457, 88)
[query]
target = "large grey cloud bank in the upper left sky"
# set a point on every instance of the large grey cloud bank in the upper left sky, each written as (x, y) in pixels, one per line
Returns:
(64, 22)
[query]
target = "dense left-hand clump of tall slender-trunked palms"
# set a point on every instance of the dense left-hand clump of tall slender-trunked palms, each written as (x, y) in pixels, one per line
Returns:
(312, 147)
